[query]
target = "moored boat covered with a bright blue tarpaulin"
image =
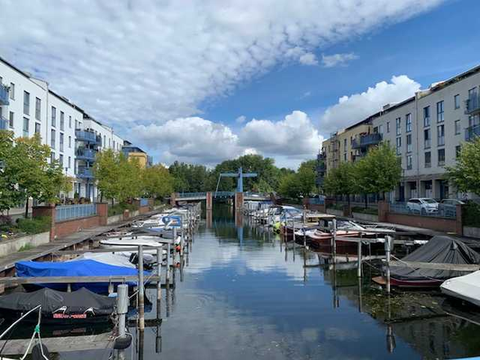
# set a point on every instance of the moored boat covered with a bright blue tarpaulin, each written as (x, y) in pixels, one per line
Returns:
(76, 268)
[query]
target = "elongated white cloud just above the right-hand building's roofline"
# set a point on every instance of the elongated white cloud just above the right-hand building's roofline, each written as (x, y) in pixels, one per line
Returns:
(354, 108)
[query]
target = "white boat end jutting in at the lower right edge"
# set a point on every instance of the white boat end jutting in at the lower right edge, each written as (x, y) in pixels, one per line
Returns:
(465, 287)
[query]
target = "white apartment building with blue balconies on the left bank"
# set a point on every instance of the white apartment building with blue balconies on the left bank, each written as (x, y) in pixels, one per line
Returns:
(28, 106)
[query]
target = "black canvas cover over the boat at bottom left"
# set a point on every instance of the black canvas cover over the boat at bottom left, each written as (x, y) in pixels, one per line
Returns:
(77, 302)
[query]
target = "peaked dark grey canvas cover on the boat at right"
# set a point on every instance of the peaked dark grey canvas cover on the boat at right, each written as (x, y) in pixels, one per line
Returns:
(440, 249)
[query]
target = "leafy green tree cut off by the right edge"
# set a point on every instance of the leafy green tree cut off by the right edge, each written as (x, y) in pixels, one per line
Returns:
(465, 175)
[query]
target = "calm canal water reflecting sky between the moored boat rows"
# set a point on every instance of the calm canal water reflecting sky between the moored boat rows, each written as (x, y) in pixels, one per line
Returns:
(242, 295)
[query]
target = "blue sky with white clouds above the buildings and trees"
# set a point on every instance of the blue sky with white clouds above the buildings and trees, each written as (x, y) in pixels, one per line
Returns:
(202, 81)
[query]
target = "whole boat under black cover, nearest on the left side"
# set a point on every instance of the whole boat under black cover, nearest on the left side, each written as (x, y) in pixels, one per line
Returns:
(80, 306)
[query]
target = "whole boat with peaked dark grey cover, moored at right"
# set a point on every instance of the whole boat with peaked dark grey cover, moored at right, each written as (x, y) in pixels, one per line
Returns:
(439, 250)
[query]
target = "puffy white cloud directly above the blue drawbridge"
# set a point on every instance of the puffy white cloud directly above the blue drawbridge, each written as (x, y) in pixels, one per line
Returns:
(293, 136)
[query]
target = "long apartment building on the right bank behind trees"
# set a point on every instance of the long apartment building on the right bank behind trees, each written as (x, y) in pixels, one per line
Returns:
(427, 131)
